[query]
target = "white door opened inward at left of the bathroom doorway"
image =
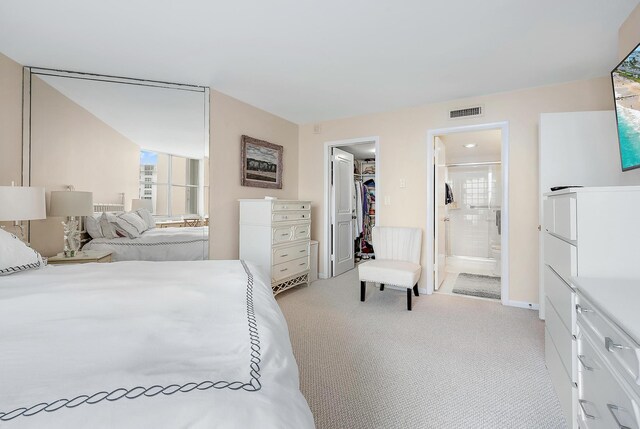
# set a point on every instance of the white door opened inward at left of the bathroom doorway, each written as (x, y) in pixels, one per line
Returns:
(441, 214)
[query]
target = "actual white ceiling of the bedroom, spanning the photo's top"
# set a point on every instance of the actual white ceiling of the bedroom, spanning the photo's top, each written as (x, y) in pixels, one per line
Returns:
(311, 61)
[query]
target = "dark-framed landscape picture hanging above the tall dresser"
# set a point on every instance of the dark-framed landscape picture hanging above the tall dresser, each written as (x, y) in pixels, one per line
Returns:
(261, 163)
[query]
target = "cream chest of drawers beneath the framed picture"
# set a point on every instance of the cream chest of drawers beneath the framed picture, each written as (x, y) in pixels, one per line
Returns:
(275, 234)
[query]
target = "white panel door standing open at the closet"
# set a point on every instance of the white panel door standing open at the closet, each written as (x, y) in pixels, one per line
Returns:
(342, 211)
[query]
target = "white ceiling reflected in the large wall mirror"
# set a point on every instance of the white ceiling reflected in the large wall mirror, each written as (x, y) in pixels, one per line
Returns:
(157, 119)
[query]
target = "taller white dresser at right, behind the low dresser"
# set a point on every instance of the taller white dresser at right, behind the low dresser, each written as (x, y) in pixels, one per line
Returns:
(588, 232)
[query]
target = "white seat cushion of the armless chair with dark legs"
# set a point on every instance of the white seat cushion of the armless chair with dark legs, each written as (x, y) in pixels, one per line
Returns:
(397, 273)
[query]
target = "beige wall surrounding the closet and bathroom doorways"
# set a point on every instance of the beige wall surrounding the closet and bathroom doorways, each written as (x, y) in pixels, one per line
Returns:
(403, 152)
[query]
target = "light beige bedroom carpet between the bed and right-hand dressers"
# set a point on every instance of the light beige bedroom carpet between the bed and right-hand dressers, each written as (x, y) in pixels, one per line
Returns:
(452, 362)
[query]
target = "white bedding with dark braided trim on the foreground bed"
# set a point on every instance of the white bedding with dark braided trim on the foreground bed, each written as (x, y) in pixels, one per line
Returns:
(210, 331)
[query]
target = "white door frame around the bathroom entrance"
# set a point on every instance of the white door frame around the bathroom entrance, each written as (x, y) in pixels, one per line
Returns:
(504, 241)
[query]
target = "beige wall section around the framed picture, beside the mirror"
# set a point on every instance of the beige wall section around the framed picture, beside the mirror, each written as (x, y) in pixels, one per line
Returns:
(230, 119)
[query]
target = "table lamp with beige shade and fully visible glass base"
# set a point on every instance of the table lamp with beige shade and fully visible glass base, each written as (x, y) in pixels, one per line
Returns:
(71, 204)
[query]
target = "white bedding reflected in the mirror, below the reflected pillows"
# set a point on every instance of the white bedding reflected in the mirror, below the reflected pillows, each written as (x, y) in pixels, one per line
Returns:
(158, 244)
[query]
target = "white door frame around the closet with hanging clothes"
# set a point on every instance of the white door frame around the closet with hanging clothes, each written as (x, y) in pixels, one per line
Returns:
(327, 192)
